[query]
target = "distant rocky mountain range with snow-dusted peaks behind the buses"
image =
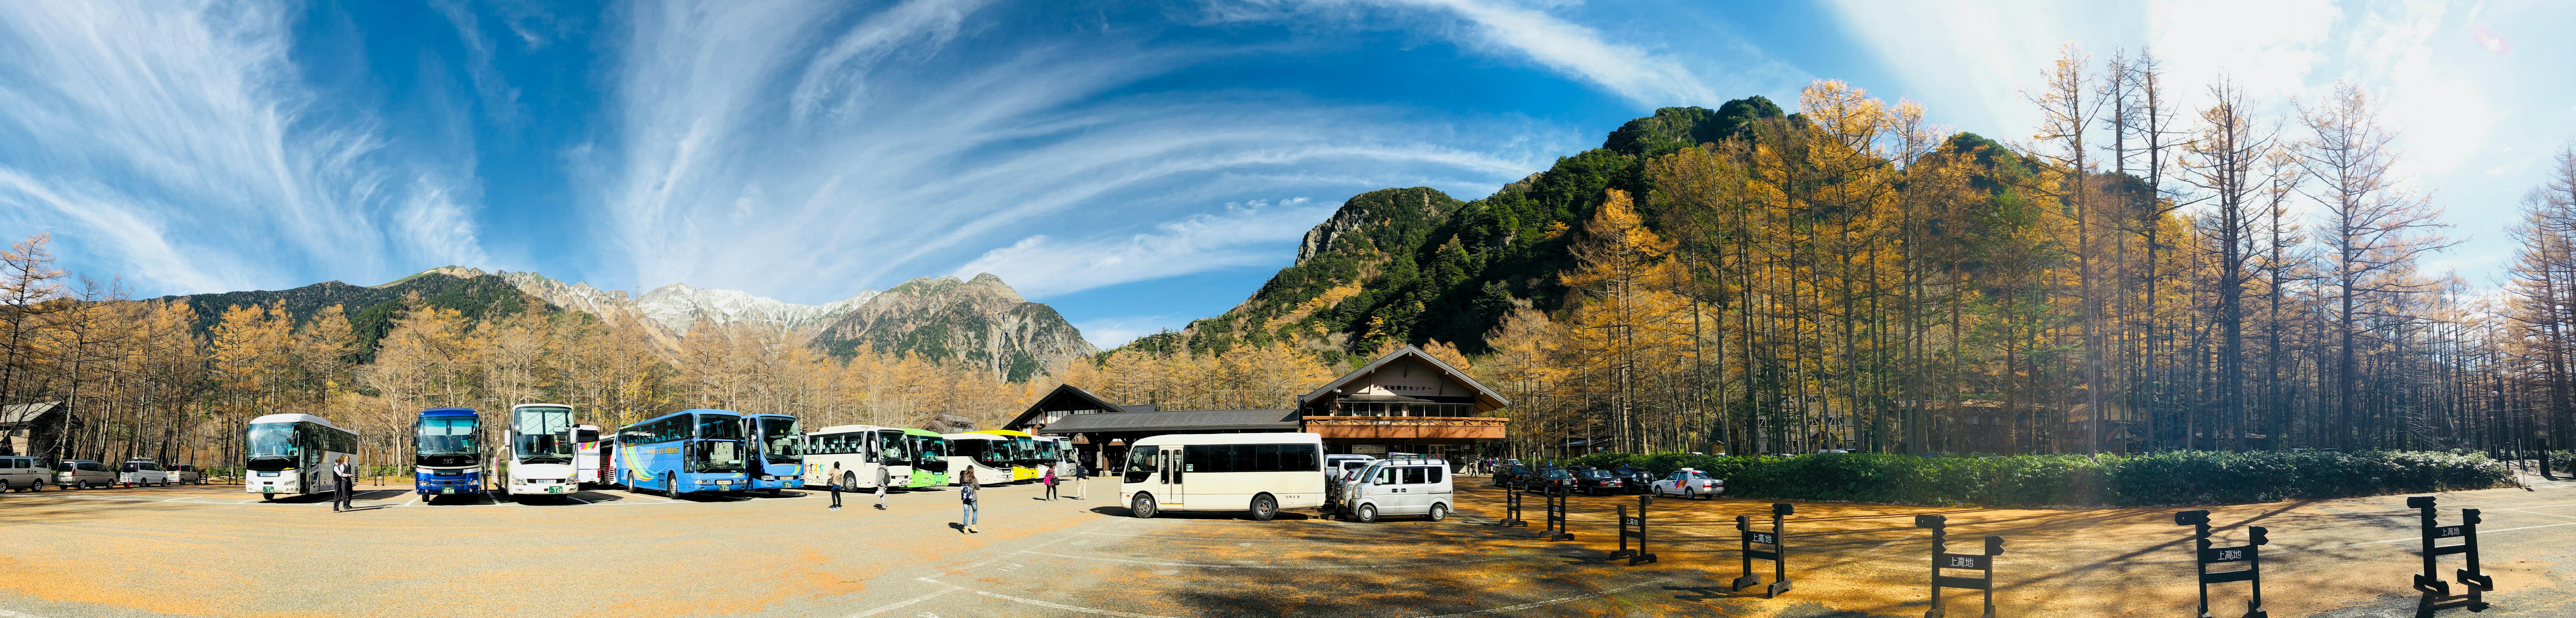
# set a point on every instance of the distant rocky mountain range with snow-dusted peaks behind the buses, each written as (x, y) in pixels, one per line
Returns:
(944, 321)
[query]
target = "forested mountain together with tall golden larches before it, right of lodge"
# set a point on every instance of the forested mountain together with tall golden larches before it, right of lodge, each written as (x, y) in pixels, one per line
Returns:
(2132, 277)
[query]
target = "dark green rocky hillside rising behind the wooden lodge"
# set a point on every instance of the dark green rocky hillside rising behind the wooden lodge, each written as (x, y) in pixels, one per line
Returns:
(1416, 264)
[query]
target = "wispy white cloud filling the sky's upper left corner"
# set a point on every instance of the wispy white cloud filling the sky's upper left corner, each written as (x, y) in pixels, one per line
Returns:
(143, 133)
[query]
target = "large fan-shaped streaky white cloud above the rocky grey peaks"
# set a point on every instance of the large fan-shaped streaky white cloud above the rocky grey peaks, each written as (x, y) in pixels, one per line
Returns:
(802, 153)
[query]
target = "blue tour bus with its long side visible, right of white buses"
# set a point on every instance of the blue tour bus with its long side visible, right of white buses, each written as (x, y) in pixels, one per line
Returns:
(684, 452)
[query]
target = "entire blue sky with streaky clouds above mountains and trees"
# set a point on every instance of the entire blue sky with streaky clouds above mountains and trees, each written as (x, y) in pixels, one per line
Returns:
(1130, 164)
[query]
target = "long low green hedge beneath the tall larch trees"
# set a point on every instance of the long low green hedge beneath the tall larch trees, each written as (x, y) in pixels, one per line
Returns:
(2173, 478)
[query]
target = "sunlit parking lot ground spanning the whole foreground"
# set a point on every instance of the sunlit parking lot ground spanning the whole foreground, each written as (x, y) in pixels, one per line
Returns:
(220, 552)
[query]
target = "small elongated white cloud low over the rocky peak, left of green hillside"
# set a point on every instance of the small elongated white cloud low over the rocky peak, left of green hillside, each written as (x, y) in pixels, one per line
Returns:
(1248, 233)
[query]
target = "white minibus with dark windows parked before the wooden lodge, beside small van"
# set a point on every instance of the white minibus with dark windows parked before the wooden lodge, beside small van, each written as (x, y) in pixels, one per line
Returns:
(1258, 473)
